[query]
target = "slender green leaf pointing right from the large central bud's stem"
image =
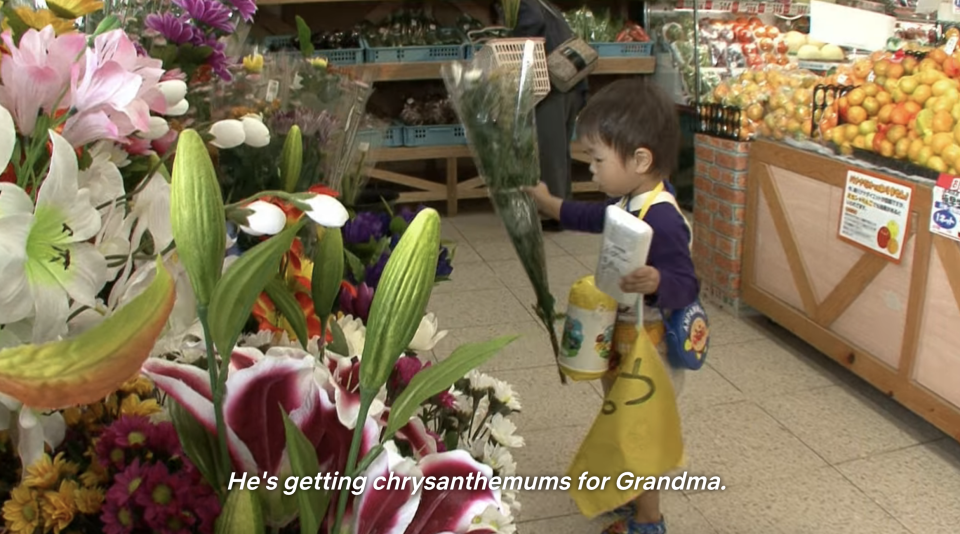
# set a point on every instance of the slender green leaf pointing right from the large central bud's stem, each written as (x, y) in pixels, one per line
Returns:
(438, 378)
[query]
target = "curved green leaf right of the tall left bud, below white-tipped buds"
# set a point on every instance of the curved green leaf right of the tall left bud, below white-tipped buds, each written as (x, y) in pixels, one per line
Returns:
(237, 291)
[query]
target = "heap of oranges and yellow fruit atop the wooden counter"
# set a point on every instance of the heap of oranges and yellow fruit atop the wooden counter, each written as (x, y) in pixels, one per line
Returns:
(897, 106)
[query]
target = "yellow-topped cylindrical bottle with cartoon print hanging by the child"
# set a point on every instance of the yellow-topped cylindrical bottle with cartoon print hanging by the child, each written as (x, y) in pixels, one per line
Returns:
(587, 341)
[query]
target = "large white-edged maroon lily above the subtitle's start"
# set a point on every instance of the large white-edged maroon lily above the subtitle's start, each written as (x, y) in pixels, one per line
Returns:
(257, 387)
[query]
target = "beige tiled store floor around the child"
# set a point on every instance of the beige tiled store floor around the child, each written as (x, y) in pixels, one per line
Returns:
(802, 446)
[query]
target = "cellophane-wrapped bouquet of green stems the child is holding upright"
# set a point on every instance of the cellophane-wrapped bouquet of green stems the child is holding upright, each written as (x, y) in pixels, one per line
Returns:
(495, 102)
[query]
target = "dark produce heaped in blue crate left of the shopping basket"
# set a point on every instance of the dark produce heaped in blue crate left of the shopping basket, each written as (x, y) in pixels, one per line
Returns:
(410, 27)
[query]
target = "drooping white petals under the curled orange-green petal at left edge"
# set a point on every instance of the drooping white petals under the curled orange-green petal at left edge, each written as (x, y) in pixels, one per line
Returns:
(32, 428)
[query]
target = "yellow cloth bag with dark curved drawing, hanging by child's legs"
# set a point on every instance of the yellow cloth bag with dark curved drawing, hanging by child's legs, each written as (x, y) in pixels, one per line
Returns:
(637, 432)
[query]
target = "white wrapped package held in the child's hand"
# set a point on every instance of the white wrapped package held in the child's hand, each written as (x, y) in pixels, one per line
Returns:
(626, 243)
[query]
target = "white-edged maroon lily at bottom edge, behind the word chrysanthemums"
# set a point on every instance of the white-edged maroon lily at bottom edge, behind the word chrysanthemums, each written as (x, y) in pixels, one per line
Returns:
(384, 509)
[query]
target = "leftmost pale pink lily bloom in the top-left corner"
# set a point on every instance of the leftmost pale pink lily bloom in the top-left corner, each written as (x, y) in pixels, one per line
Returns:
(36, 73)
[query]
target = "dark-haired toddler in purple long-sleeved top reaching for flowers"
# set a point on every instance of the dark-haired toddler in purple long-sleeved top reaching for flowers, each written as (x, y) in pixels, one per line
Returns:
(632, 133)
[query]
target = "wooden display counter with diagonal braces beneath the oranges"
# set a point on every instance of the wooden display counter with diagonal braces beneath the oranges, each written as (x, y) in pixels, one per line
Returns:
(894, 325)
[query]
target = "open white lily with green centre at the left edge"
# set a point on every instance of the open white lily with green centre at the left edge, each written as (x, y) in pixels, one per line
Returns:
(44, 255)
